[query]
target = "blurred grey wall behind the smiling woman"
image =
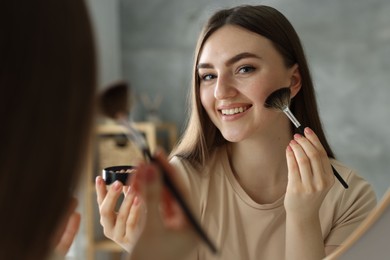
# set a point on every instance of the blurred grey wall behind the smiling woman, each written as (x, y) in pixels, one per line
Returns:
(150, 44)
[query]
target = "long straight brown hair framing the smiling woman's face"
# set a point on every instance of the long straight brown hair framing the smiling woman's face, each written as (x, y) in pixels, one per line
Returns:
(201, 135)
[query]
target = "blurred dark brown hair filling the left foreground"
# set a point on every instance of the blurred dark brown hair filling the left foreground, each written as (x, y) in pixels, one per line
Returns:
(47, 81)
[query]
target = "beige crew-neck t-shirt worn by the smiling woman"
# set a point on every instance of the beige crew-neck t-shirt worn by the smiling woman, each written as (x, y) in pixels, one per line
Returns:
(243, 229)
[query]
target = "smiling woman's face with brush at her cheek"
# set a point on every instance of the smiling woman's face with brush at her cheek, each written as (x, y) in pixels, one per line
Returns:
(238, 69)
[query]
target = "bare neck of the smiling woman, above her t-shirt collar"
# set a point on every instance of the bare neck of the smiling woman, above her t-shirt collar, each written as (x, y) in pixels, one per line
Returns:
(260, 166)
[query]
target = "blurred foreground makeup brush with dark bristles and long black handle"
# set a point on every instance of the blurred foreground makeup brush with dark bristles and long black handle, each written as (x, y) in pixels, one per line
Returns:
(121, 116)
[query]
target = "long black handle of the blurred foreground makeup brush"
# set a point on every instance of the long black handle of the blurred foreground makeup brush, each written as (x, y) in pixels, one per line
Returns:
(179, 198)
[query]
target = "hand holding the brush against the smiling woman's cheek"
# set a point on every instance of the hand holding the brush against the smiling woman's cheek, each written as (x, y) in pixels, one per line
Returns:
(310, 176)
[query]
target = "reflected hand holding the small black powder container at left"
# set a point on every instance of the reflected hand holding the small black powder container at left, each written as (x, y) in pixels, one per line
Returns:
(122, 226)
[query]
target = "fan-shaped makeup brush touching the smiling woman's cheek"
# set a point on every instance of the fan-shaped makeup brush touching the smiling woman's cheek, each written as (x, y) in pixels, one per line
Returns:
(280, 100)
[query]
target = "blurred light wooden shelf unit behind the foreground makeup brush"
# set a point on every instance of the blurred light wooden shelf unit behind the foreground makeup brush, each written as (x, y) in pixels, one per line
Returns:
(113, 148)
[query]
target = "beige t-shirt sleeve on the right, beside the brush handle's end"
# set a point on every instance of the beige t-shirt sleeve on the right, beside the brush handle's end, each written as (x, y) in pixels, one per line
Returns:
(352, 207)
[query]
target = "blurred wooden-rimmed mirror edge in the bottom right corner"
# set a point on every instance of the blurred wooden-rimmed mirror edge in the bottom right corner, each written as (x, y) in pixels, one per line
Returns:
(371, 239)
